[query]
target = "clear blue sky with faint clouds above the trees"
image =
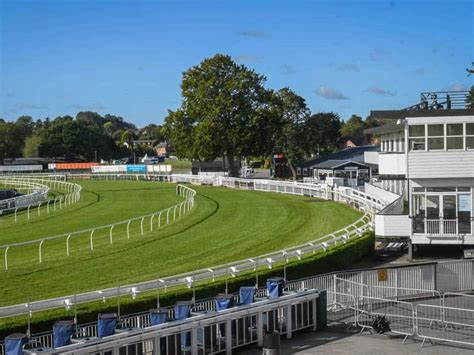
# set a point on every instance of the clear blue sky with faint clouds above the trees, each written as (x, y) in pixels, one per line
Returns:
(127, 57)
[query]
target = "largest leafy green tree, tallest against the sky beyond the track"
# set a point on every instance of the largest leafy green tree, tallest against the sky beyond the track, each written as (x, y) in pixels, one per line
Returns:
(221, 100)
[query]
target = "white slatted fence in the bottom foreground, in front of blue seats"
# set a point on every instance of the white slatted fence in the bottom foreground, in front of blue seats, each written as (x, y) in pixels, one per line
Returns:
(204, 332)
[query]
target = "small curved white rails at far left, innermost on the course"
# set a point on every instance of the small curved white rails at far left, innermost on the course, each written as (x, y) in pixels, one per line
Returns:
(39, 197)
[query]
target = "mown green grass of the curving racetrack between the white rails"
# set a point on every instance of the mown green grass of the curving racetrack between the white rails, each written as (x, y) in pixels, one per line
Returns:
(225, 225)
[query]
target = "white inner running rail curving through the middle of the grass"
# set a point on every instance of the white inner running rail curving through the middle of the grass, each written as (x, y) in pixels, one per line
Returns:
(171, 213)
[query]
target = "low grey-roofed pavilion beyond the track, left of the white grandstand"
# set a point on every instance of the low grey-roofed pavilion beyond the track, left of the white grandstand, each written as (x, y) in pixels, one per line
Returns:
(347, 163)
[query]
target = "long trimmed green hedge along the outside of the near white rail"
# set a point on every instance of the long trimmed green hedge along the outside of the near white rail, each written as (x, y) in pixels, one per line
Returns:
(336, 258)
